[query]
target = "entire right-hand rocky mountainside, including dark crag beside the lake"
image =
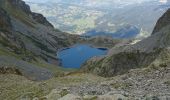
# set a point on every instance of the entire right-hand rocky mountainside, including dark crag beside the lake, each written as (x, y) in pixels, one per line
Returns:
(139, 55)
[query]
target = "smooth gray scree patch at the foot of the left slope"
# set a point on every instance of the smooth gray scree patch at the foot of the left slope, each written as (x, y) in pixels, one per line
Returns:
(28, 70)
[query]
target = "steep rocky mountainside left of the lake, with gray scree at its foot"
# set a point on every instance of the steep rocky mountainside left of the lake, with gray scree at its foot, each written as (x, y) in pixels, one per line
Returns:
(28, 42)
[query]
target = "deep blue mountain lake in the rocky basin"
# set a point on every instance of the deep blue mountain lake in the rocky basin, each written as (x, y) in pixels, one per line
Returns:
(75, 56)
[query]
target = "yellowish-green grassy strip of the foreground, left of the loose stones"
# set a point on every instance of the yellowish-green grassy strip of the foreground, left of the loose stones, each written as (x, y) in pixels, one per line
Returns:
(16, 87)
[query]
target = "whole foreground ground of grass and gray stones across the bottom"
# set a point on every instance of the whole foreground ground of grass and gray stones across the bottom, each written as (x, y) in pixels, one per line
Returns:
(152, 83)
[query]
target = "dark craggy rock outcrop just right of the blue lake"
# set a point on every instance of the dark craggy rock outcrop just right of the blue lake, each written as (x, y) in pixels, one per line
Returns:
(120, 63)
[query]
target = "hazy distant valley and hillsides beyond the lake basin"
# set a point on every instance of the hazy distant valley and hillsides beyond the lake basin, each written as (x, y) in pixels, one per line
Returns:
(108, 16)
